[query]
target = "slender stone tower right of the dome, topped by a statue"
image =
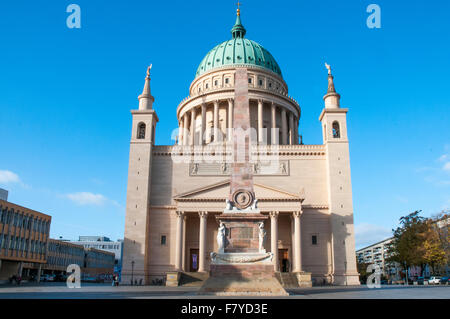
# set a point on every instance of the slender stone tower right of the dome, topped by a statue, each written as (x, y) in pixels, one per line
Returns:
(334, 125)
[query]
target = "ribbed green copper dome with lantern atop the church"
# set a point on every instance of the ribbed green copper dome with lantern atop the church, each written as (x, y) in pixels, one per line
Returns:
(238, 51)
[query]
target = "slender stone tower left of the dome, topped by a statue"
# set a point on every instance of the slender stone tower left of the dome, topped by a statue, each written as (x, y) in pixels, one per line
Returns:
(135, 254)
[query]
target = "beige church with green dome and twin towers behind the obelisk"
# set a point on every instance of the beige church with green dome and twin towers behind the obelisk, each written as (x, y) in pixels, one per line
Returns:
(175, 191)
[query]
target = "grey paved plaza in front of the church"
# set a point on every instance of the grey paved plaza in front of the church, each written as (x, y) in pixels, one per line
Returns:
(103, 291)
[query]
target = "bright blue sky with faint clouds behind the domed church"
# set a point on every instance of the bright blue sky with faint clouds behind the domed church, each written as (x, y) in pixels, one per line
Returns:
(66, 96)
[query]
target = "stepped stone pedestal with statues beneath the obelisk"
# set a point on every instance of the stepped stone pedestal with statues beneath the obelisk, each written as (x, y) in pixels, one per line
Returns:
(242, 267)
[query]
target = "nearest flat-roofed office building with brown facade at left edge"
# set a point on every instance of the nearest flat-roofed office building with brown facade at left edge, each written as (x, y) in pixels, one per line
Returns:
(23, 240)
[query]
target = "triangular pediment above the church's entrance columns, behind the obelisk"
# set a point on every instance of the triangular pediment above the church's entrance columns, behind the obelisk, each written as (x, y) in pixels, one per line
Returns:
(220, 191)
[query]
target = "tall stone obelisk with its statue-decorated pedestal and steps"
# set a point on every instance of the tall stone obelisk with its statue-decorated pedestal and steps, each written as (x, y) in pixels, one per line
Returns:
(241, 265)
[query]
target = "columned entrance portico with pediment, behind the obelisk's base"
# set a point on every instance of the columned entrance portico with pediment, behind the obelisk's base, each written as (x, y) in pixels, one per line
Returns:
(196, 228)
